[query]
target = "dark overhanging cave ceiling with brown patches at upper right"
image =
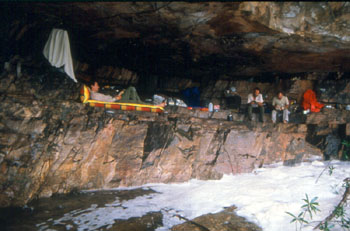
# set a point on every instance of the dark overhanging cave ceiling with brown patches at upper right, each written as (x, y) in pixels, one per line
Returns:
(185, 38)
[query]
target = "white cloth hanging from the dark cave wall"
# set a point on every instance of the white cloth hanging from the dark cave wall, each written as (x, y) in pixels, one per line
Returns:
(57, 51)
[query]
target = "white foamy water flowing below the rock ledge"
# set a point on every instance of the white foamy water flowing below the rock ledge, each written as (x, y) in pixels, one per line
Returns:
(262, 197)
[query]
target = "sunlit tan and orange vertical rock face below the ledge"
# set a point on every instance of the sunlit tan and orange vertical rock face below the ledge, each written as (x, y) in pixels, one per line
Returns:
(54, 144)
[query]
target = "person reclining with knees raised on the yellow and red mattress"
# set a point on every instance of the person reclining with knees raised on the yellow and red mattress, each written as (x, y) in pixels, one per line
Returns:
(128, 95)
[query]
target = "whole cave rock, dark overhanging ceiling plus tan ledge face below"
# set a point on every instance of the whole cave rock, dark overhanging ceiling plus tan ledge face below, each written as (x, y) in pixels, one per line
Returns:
(51, 143)
